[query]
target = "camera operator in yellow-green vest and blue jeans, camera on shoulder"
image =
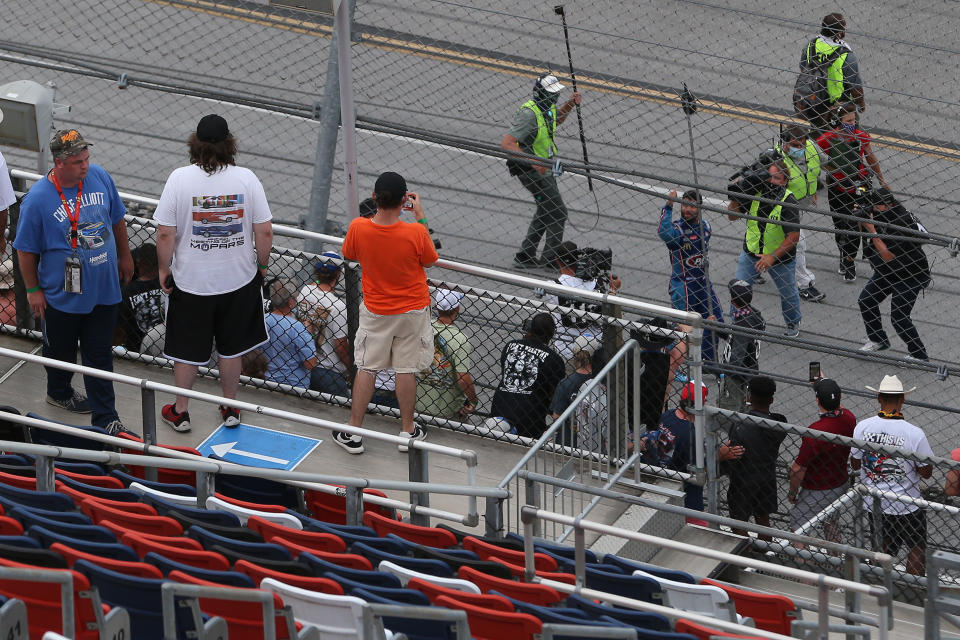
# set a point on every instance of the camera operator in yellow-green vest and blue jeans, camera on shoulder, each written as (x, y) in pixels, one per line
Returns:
(769, 245)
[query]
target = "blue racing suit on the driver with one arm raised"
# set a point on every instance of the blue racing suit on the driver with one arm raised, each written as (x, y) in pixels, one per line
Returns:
(690, 290)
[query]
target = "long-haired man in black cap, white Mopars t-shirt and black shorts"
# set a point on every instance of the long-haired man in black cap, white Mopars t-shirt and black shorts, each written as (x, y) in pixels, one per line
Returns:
(214, 237)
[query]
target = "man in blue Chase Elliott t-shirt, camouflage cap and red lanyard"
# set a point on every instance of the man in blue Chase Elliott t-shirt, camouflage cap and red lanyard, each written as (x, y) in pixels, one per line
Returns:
(73, 252)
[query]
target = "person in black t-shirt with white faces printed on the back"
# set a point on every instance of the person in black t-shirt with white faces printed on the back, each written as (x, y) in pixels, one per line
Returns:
(530, 372)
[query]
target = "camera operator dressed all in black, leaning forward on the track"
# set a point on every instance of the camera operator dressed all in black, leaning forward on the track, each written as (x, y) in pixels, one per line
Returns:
(900, 270)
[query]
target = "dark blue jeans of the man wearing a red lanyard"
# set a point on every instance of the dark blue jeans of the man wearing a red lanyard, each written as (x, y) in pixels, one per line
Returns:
(94, 332)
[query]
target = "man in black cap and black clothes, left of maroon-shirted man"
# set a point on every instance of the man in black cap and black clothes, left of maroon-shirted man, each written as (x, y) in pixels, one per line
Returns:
(753, 479)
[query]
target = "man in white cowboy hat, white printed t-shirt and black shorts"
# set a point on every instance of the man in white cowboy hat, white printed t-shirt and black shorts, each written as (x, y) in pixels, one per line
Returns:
(901, 522)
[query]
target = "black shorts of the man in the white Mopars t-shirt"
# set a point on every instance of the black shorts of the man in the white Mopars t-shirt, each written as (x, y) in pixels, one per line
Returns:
(234, 319)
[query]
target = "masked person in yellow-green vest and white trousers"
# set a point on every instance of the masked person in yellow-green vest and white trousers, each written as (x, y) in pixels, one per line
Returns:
(802, 158)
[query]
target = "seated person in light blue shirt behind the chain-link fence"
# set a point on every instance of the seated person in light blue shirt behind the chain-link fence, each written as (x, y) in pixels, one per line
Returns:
(291, 354)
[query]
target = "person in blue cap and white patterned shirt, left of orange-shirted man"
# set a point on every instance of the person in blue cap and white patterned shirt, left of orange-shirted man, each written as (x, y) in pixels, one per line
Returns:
(325, 316)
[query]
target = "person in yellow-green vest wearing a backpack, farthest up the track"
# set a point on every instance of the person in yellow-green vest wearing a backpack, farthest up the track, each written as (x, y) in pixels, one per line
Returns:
(843, 74)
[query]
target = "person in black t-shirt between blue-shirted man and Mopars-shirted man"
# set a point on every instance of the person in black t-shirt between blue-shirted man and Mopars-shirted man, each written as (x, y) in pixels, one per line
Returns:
(142, 306)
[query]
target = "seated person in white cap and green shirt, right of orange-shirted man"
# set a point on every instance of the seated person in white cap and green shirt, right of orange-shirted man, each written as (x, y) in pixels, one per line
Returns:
(446, 389)
